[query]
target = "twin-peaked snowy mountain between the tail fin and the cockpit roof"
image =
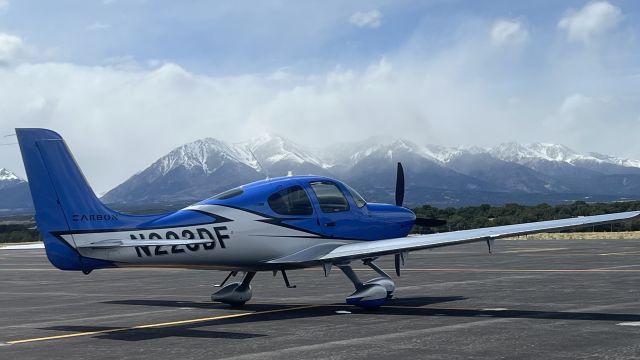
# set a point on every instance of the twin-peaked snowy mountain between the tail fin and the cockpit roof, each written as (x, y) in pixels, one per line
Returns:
(205, 167)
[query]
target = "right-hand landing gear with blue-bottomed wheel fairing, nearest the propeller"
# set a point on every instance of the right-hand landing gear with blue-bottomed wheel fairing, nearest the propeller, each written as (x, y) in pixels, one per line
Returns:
(370, 294)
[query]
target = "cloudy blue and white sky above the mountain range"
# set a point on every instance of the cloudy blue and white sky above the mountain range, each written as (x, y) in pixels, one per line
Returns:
(126, 81)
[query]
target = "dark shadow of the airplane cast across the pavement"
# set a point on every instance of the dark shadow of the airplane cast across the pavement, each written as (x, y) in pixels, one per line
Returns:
(409, 306)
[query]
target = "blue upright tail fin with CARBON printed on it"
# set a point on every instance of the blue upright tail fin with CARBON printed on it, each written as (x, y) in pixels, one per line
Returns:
(64, 201)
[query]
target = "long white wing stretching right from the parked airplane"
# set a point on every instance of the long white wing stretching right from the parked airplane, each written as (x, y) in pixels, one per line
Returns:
(367, 249)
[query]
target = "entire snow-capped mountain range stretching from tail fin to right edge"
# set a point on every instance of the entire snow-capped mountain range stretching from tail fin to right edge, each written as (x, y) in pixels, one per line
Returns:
(434, 174)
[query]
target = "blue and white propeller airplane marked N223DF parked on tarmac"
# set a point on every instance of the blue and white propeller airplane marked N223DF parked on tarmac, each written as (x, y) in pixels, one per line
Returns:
(272, 225)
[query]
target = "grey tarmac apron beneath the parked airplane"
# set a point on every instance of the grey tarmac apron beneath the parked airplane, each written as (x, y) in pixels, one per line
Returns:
(530, 299)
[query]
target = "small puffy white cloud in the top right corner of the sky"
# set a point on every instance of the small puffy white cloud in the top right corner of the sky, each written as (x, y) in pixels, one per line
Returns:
(592, 20)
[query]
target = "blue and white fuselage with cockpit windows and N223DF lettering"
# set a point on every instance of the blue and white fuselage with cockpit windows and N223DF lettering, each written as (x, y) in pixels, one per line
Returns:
(254, 224)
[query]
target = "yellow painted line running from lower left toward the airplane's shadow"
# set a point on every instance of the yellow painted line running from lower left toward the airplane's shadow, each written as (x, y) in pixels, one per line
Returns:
(156, 325)
